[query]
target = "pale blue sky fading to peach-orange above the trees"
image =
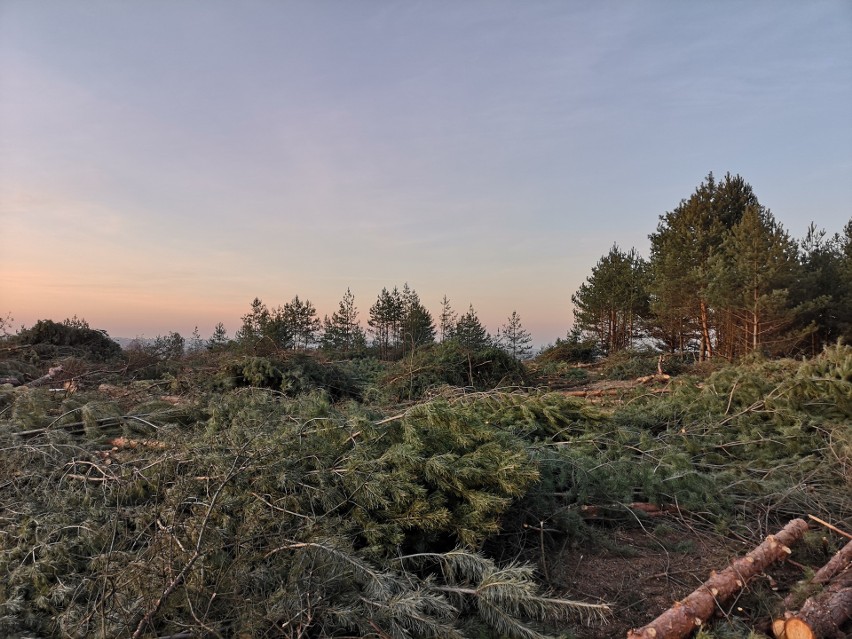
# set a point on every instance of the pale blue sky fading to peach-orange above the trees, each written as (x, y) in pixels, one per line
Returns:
(164, 163)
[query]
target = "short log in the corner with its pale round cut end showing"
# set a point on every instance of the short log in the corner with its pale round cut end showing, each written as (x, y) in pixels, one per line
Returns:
(823, 615)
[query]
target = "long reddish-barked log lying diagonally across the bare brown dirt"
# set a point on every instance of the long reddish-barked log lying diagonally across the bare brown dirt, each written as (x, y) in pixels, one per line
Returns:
(684, 617)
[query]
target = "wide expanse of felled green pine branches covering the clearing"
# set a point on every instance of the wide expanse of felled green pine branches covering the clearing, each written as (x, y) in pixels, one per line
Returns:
(247, 512)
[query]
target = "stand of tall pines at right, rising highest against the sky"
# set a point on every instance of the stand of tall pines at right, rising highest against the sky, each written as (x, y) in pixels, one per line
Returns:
(724, 279)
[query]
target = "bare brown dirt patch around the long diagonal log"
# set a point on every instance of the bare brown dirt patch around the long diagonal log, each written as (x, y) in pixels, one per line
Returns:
(641, 571)
